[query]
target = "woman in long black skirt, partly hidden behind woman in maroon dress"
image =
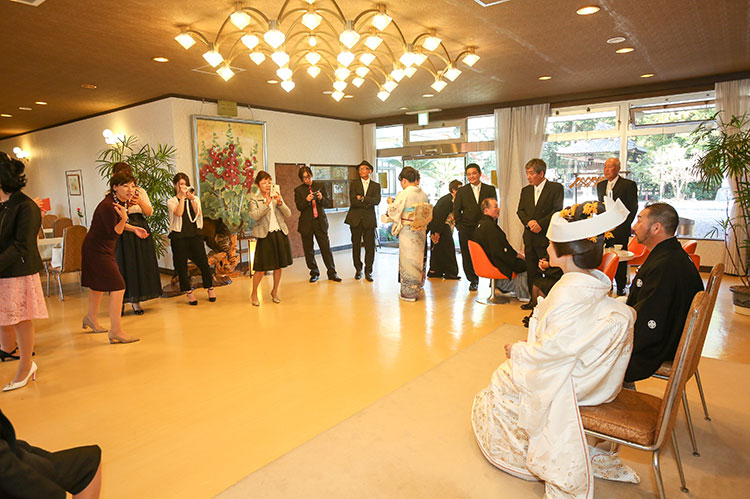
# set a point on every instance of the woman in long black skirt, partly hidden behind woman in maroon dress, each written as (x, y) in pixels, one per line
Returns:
(136, 257)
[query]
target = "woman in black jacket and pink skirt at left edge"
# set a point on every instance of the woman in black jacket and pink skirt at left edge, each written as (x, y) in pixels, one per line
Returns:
(21, 297)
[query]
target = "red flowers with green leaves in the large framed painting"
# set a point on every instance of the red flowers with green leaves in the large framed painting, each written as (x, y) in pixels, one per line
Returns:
(226, 181)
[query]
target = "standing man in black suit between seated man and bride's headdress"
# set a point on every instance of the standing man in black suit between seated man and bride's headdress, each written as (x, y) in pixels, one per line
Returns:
(539, 201)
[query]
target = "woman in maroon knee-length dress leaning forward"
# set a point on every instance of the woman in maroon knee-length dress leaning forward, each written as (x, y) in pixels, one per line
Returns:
(99, 270)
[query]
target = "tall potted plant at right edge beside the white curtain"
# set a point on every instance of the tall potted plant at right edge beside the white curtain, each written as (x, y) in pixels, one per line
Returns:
(726, 154)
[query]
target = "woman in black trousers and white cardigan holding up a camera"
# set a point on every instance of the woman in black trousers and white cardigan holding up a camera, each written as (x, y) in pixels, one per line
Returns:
(185, 222)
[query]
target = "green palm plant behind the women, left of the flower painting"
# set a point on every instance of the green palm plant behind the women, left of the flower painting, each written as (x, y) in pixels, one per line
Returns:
(153, 169)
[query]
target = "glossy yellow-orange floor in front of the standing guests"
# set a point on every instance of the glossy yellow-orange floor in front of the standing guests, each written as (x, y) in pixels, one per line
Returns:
(214, 392)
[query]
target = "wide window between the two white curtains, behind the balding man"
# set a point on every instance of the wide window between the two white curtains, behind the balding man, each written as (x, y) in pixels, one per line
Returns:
(656, 150)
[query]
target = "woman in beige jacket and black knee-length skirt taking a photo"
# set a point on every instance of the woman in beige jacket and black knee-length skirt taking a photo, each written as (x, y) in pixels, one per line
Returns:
(272, 249)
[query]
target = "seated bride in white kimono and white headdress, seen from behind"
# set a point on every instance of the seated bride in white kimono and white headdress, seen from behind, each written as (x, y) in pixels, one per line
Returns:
(526, 421)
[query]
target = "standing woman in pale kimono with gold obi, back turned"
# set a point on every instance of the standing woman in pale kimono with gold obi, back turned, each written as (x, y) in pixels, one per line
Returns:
(410, 213)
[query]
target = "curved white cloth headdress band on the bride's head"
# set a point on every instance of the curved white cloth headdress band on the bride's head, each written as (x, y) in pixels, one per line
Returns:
(563, 231)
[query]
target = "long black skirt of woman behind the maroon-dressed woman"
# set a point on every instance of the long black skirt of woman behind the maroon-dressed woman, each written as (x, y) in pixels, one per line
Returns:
(136, 259)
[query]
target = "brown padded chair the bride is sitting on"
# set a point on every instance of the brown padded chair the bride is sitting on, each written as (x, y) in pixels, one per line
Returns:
(646, 422)
